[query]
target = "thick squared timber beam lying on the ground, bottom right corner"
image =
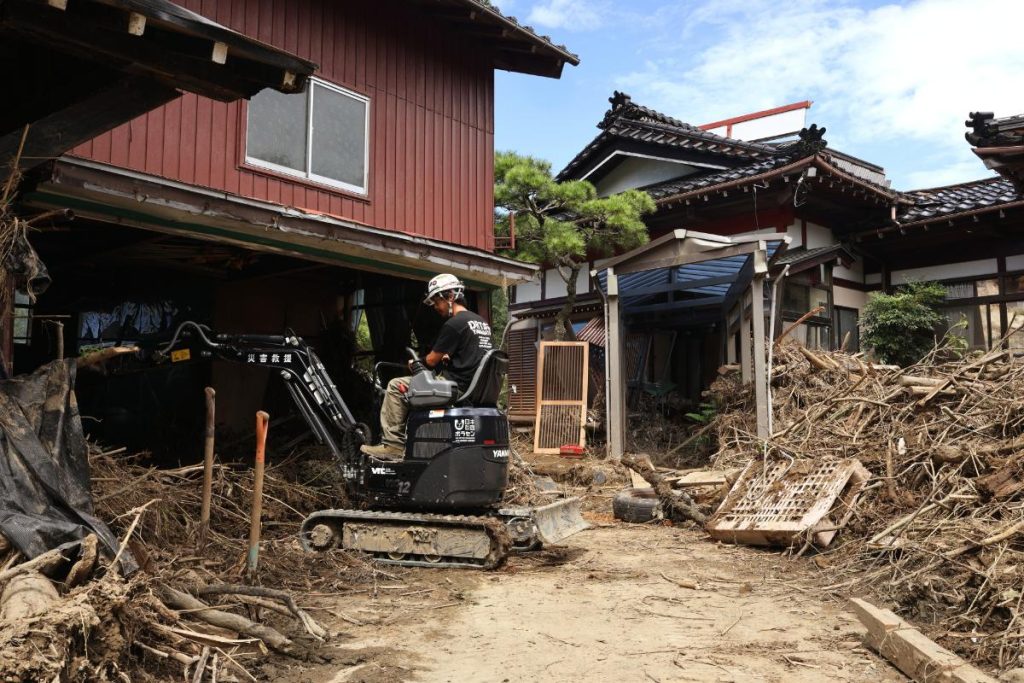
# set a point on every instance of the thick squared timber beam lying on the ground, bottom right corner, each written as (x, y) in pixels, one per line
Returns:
(912, 652)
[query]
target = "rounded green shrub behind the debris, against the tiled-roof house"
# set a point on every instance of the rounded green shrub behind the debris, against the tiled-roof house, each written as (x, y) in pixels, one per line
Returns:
(901, 327)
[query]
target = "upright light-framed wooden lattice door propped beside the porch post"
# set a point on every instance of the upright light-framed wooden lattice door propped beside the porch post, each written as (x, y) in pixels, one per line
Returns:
(562, 396)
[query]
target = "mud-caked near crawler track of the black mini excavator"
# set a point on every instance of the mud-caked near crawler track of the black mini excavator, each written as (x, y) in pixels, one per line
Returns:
(411, 539)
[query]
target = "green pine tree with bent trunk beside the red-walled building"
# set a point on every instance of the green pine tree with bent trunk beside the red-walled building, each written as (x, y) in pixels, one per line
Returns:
(564, 225)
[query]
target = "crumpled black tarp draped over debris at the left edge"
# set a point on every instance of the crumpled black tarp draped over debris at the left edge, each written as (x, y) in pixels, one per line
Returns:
(45, 468)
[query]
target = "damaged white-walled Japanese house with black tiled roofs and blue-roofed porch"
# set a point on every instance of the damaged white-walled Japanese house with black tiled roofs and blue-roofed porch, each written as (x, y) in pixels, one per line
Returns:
(834, 230)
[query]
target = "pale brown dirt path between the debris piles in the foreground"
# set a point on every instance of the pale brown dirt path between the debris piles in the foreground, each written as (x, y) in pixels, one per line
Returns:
(604, 608)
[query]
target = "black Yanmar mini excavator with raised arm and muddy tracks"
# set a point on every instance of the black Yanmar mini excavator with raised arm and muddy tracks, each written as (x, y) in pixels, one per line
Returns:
(441, 504)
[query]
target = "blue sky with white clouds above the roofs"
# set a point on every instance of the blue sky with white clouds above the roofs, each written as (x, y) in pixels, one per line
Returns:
(892, 82)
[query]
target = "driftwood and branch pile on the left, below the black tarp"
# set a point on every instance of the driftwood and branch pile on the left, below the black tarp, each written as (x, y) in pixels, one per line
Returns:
(190, 610)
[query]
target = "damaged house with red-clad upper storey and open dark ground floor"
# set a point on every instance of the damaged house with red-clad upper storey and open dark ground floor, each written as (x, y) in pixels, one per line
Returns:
(308, 210)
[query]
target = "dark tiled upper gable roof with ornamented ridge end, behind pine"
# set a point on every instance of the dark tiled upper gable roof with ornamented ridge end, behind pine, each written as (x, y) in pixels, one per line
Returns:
(629, 121)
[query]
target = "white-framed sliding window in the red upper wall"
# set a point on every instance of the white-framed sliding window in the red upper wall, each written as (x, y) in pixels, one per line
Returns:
(322, 135)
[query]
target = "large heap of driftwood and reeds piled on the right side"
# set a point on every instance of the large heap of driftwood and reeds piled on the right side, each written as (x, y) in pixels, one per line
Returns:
(941, 532)
